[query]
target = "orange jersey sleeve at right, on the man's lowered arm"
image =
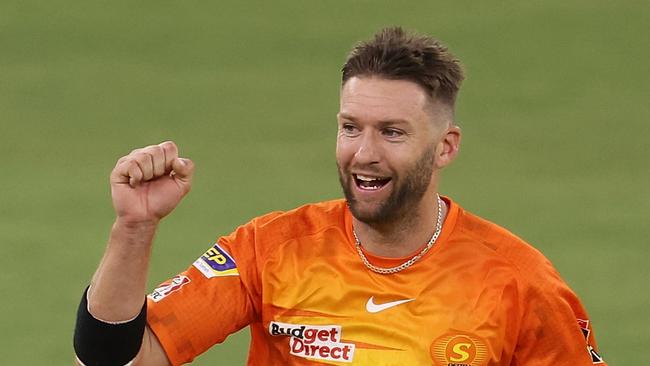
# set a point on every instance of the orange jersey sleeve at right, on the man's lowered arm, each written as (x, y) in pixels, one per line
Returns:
(555, 329)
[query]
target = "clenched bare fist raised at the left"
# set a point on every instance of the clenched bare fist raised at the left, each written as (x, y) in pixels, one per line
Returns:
(148, 184)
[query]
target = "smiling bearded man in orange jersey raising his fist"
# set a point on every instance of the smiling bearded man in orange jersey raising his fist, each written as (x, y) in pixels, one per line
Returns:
(392, 275)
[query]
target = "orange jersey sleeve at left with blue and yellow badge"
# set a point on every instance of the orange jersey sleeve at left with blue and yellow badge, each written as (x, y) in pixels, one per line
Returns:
(216, 296)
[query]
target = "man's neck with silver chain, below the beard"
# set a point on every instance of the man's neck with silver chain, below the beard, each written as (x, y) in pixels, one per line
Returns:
(403, 236)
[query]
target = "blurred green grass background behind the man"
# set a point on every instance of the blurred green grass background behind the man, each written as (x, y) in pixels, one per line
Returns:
(554, 113)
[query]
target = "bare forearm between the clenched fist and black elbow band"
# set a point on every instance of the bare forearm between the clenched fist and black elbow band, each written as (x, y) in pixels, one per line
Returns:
(119, 284)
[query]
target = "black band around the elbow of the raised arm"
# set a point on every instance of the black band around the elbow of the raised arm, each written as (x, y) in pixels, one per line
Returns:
(99, 343)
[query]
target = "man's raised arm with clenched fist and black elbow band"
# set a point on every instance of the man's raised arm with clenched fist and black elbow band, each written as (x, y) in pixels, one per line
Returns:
(146, 185)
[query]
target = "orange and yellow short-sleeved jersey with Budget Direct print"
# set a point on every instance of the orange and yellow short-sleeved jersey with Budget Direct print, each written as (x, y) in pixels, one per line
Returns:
(480, 296)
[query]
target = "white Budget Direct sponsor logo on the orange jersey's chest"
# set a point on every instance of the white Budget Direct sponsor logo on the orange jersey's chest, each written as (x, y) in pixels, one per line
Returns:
(320, 342)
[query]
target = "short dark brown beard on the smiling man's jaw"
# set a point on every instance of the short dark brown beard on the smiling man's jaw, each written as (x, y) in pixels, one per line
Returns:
(402, 202)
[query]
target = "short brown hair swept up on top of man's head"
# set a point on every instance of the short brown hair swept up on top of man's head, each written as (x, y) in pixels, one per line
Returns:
(396, 54)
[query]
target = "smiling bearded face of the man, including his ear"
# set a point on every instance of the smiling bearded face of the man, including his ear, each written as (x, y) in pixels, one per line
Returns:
(392, 139)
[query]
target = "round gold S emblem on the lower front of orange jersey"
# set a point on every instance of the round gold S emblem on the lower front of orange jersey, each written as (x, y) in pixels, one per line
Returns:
(459, 349)
